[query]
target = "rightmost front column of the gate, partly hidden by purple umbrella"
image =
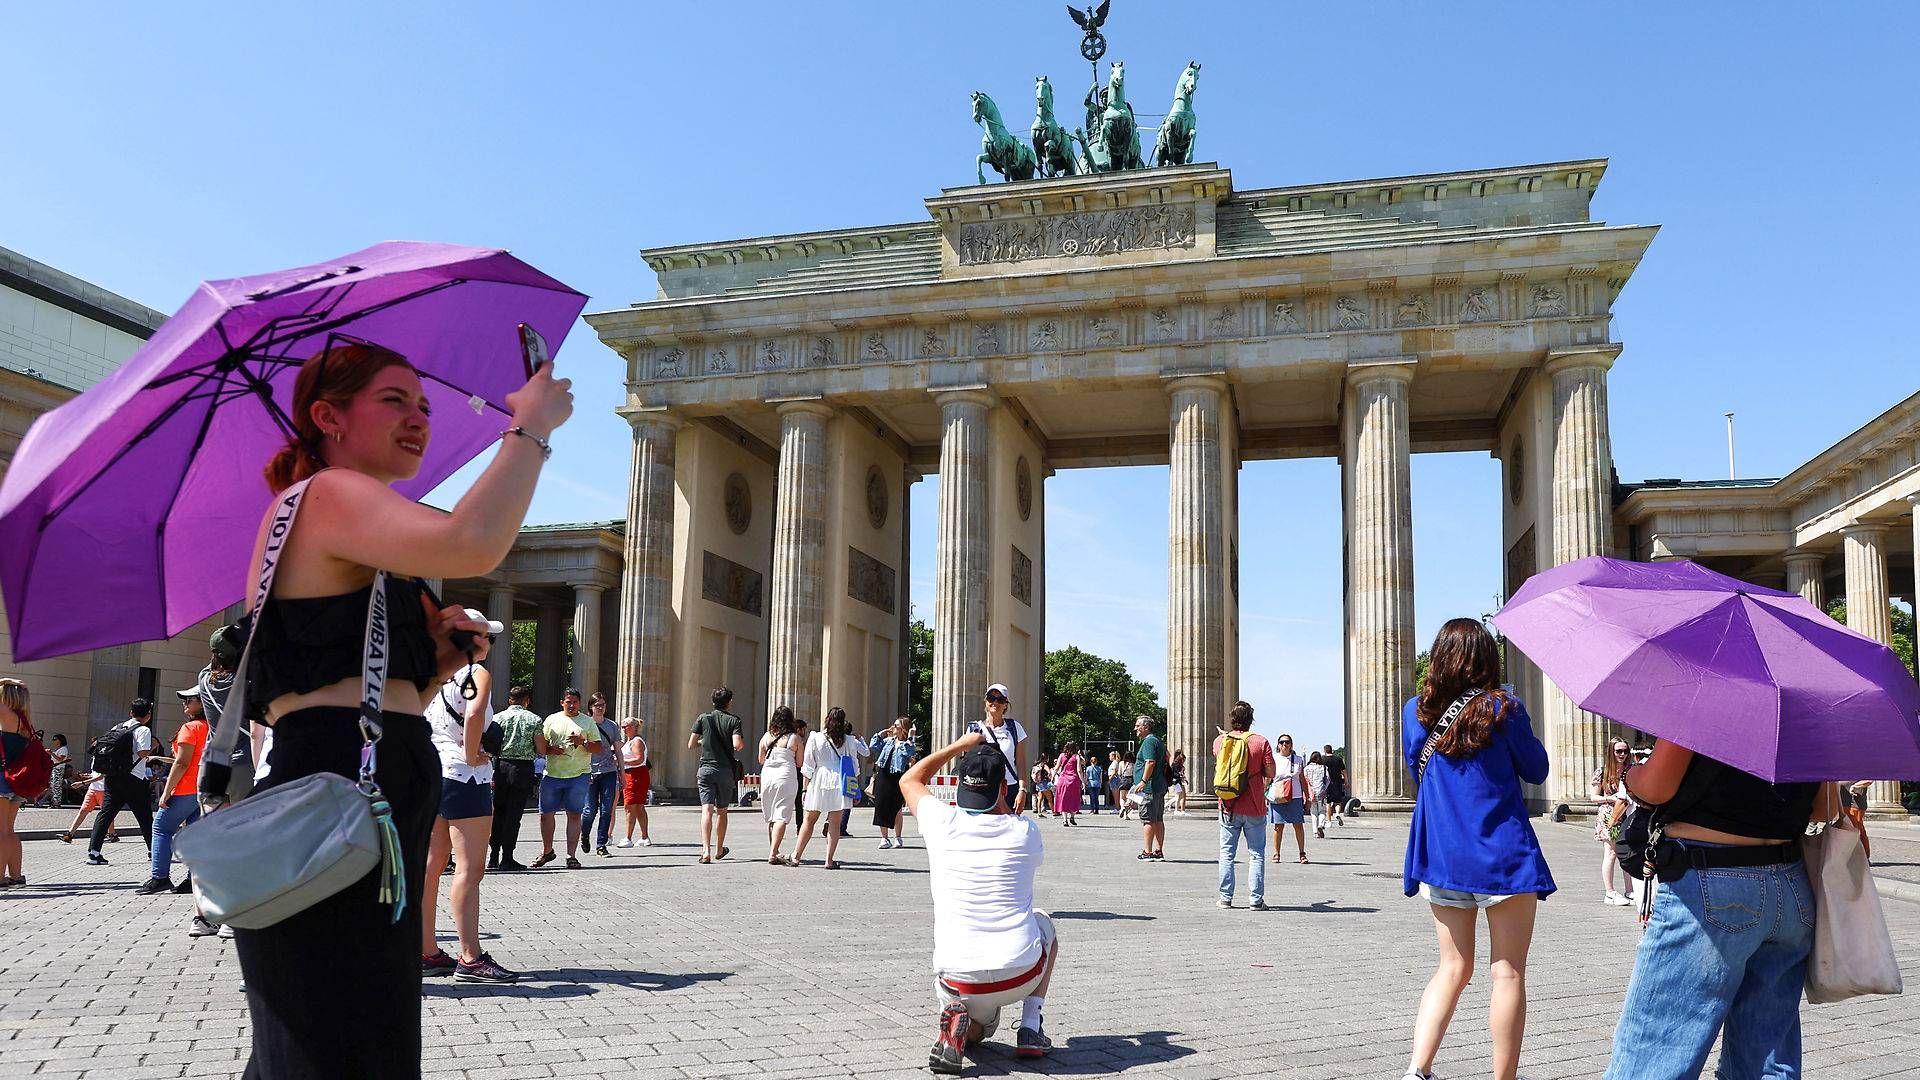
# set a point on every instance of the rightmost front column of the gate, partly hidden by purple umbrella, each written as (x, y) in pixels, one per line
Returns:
(1583, 526)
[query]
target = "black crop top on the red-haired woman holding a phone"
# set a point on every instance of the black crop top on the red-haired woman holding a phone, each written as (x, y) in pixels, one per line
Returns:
(310, 643)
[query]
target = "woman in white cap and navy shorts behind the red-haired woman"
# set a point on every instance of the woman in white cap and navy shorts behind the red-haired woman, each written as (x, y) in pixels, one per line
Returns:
(466, 820)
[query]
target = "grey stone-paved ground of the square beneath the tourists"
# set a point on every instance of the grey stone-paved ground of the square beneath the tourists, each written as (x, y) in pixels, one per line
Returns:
(746, 970)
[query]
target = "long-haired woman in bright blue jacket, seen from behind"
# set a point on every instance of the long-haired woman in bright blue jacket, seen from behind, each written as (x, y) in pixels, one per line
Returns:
(1472, 847)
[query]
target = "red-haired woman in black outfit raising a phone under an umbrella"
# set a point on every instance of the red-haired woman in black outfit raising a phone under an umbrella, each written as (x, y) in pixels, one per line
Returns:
(335, 991)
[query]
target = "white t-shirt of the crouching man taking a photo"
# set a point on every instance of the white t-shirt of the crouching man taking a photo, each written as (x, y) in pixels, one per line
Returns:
(982, 875)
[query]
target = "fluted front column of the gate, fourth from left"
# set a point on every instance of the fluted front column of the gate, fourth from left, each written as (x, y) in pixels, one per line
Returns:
(1197, 572)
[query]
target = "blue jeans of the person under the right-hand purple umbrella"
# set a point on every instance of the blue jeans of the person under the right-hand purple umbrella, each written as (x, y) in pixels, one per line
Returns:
(1725, 954)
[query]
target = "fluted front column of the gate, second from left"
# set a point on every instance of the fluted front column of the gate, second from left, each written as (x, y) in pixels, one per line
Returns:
(798, 595)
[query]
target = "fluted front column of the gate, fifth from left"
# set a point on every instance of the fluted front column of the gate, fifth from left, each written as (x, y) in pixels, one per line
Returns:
(1380, 577)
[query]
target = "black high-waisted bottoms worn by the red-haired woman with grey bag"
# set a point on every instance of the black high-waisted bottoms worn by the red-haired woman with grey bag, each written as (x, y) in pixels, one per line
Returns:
(335, 991)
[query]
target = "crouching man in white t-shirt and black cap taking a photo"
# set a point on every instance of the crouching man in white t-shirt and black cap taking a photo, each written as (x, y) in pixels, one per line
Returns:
(990, 945)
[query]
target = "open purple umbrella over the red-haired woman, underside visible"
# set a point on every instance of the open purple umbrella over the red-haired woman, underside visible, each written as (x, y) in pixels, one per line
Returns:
(130, 514)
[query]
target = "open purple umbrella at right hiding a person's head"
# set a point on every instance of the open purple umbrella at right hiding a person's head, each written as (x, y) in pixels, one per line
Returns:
(1748, 675)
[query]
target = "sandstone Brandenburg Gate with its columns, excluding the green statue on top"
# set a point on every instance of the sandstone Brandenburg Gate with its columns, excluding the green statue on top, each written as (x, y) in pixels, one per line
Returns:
(786, 391)
